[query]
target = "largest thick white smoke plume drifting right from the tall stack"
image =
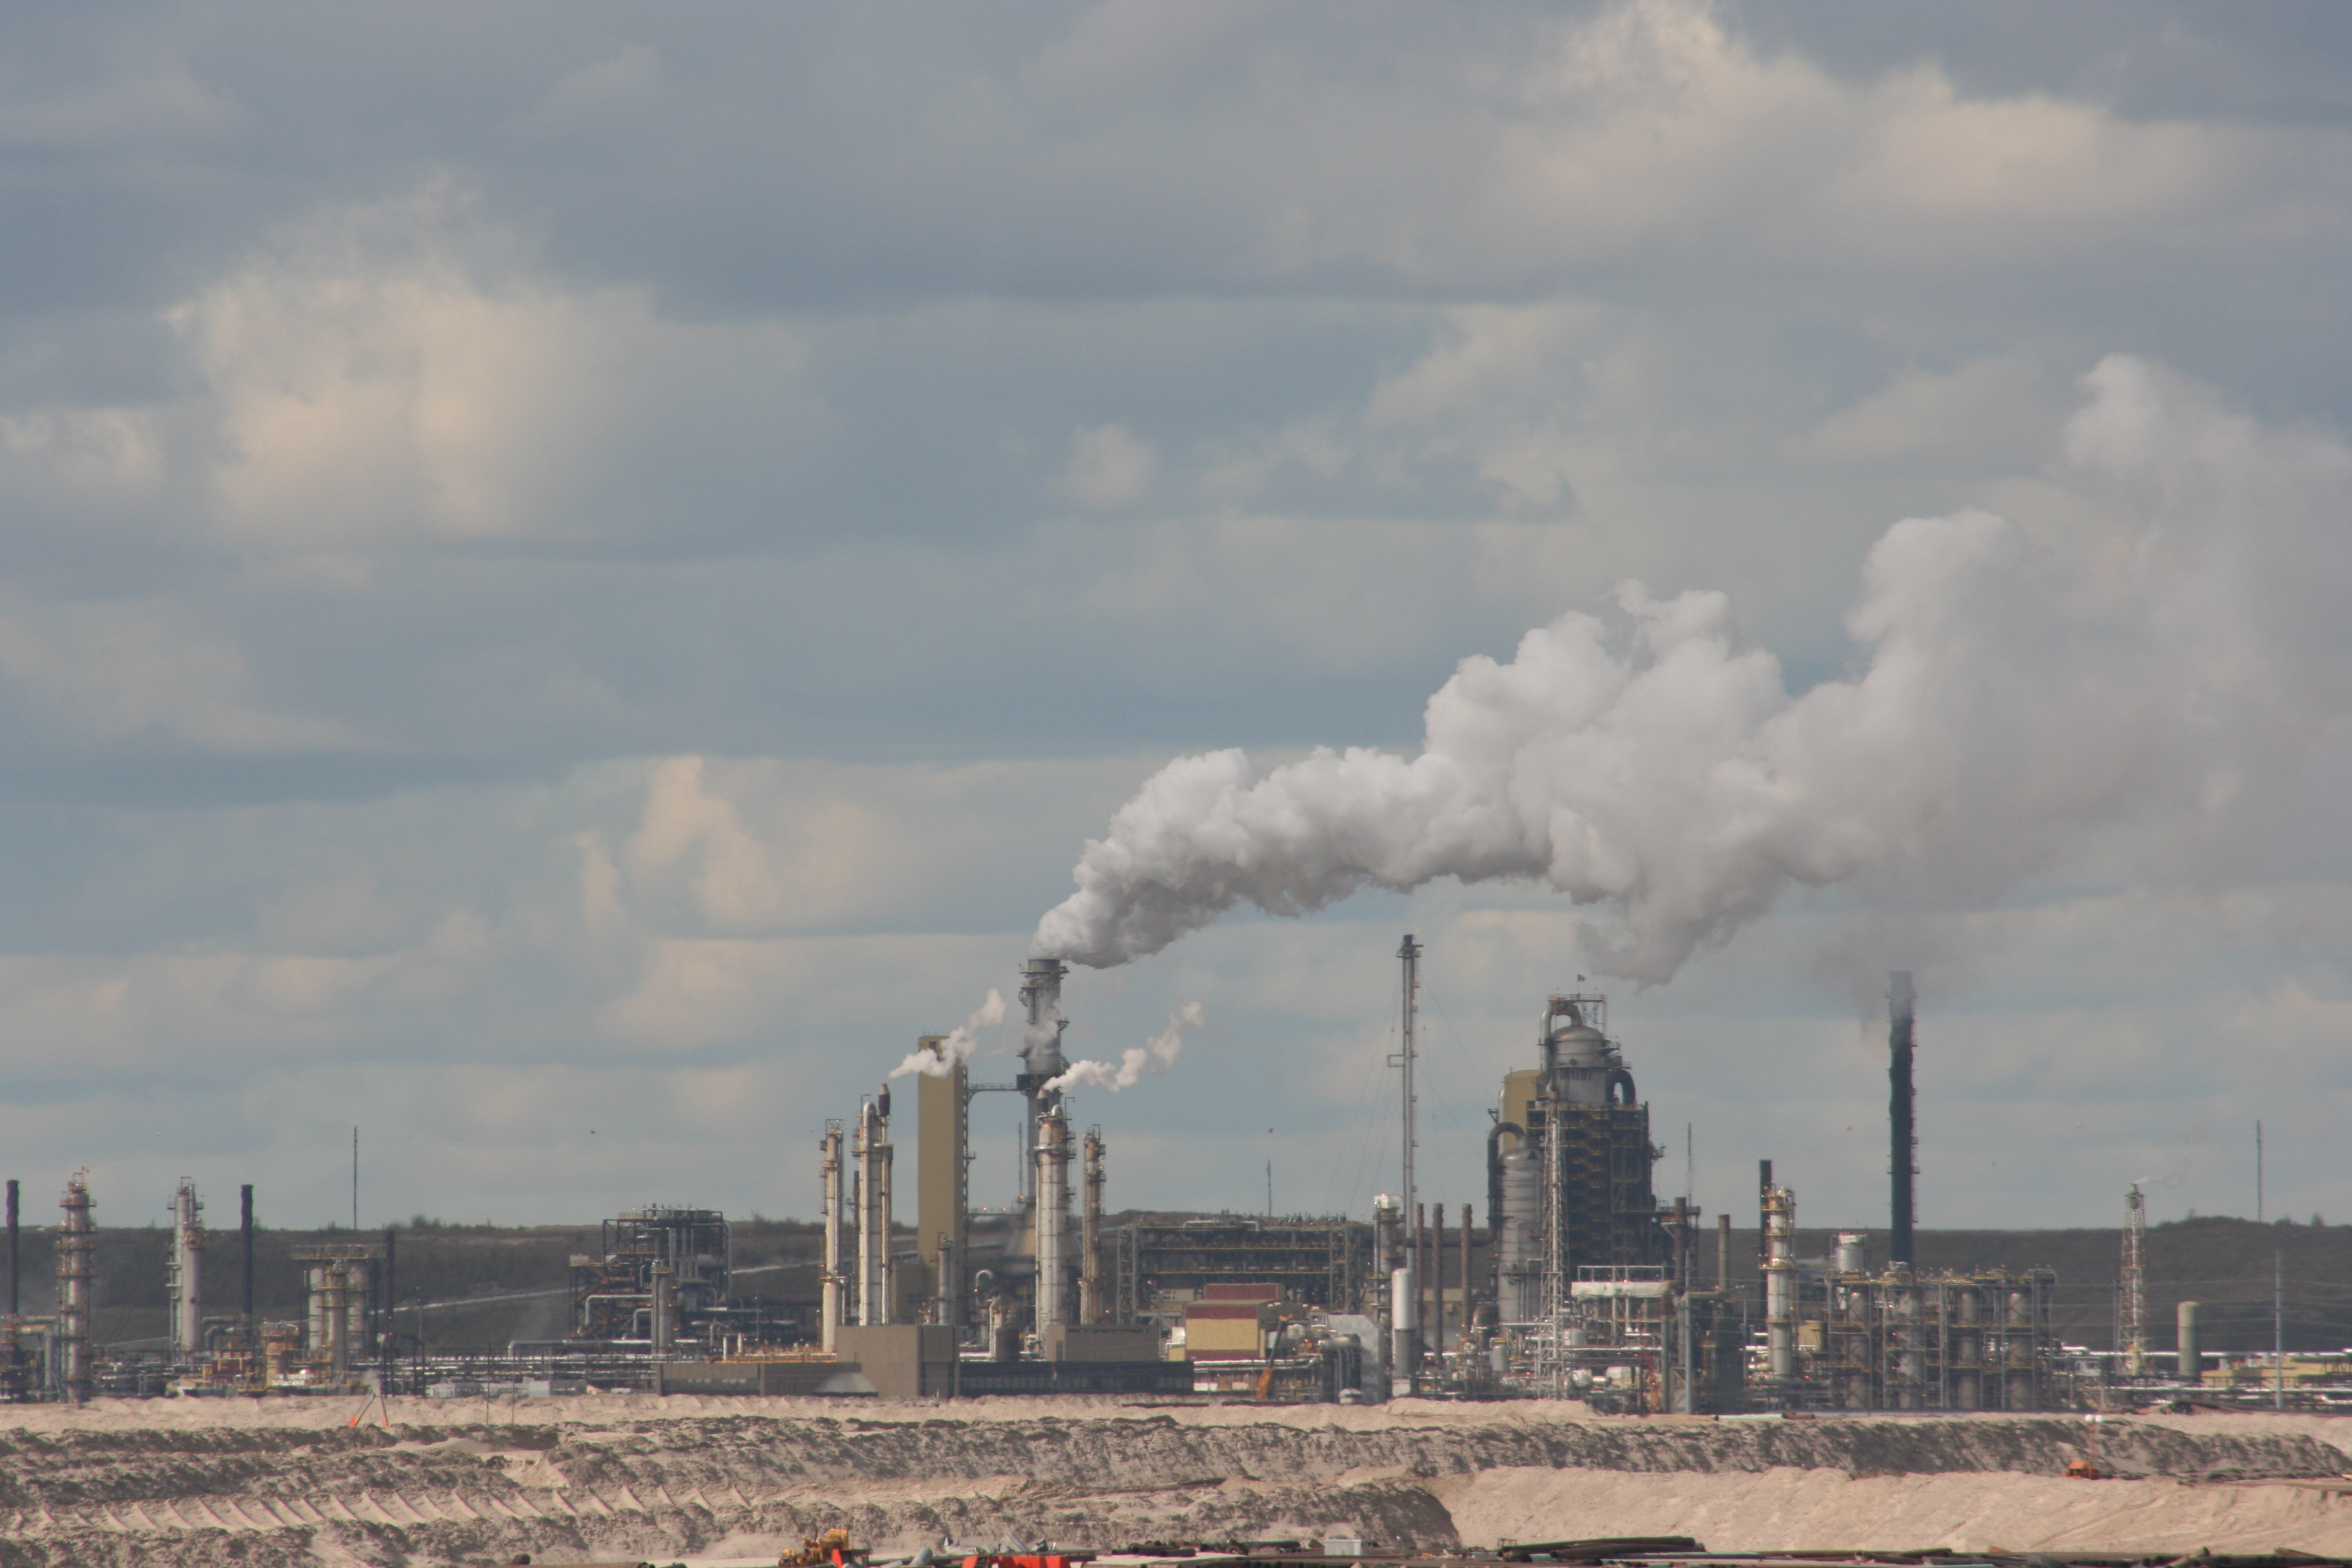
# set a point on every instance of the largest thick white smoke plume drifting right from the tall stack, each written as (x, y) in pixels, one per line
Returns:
(2017, 695)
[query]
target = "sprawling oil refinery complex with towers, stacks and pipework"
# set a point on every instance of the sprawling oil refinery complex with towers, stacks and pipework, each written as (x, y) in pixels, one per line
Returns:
(1575, 1282)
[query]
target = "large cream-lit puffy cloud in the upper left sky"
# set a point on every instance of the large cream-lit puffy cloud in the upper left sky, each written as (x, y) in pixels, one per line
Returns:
(396, 375)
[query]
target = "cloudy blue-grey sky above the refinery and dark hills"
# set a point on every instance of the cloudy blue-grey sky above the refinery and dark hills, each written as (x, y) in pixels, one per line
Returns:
(577, 577)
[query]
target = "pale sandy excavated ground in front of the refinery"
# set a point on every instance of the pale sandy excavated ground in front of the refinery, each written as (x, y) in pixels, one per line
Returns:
(290, 1485)
